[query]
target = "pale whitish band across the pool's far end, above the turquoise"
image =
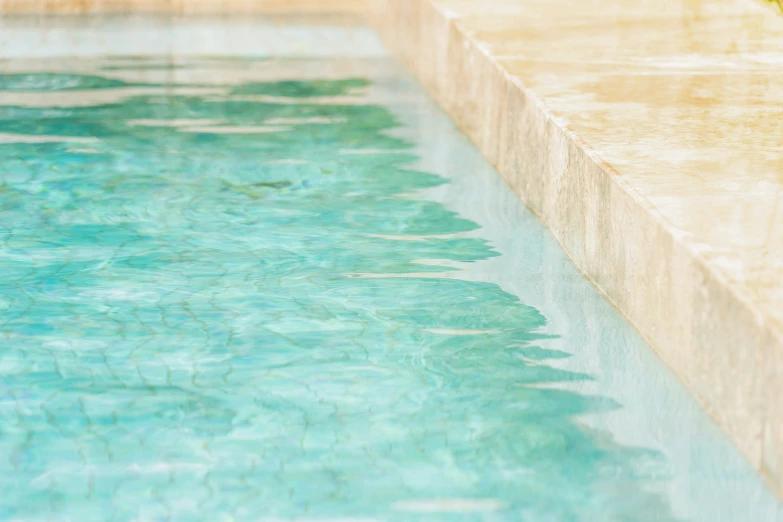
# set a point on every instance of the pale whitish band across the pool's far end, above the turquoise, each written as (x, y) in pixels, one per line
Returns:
(173, 35)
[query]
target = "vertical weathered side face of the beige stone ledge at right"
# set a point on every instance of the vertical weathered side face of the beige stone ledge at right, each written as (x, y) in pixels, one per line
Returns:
(610, 233)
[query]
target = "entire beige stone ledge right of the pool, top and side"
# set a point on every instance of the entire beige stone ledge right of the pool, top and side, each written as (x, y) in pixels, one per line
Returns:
(649, 137)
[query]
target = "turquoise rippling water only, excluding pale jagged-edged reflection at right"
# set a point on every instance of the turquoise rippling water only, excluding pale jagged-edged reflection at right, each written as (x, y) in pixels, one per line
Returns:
(246, 304)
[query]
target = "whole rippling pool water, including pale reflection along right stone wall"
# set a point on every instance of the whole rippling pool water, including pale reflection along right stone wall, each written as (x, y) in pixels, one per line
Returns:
(615, 436)
